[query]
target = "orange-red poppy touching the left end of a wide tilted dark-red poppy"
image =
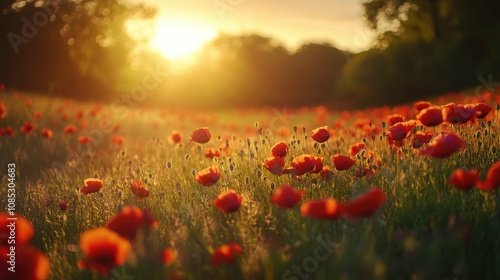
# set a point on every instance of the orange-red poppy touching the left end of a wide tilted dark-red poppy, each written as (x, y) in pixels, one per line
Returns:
(322, 209)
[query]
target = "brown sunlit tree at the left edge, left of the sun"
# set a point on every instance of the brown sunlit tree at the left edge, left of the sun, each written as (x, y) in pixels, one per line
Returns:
(78, 49)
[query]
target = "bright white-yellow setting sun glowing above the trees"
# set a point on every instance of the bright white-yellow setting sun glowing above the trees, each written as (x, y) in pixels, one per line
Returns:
(179, 39)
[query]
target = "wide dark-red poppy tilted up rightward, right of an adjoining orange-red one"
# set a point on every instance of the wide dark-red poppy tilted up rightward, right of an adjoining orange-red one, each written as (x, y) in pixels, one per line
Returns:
(364, 205)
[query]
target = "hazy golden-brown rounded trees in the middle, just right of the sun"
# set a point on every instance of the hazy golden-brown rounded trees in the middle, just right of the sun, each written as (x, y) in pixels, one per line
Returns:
(252, 70)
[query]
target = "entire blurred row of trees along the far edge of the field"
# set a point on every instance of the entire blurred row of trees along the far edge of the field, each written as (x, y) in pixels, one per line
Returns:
(83, 50)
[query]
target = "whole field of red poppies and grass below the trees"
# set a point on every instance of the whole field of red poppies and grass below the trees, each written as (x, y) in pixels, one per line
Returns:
(97, 191)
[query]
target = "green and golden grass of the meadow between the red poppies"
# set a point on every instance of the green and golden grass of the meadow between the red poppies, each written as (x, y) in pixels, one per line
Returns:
(425, 230)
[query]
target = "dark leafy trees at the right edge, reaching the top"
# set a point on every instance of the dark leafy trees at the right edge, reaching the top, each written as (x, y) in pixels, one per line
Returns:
(425, 47)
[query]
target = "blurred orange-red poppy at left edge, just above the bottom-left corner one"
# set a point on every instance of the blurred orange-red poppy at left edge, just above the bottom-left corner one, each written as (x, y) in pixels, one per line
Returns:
(23, 228)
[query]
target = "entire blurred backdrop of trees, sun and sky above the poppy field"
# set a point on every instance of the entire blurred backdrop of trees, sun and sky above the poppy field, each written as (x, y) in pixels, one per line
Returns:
(237, 53)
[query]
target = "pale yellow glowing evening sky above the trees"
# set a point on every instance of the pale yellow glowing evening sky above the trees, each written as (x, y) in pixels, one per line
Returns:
(291, 22)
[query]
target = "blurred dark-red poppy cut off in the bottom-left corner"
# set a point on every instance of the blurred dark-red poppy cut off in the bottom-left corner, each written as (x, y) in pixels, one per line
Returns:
(31, 264)
